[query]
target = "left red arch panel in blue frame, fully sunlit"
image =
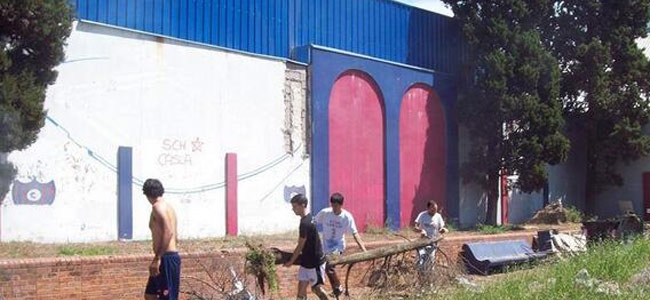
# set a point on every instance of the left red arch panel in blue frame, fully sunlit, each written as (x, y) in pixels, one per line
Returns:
(356, 147)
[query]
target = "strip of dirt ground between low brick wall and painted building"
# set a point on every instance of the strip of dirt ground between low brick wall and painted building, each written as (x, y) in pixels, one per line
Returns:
(13, 250)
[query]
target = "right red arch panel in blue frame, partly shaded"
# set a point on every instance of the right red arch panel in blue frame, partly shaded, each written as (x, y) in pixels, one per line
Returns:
(422, 152)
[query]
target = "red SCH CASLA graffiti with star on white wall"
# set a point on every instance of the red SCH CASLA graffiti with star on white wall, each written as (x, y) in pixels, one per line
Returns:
(178, 152)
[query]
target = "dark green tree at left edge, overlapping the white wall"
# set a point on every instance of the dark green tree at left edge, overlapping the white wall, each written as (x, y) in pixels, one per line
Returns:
(32, 37)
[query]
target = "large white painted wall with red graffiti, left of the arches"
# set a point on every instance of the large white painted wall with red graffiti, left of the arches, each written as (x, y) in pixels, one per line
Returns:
(181, 107)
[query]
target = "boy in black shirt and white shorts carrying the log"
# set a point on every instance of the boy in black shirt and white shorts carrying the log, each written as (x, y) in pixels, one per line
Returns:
(310, 249)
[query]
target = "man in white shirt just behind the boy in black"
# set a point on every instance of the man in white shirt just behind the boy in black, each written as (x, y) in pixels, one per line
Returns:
(333, 223)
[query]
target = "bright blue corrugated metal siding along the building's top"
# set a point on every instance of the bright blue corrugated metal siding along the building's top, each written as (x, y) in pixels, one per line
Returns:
(379, 28)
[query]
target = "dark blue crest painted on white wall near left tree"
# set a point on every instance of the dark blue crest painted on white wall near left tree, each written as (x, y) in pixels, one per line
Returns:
(33, 192)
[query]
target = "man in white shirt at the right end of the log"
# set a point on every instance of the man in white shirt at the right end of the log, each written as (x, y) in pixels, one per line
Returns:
(429, 224)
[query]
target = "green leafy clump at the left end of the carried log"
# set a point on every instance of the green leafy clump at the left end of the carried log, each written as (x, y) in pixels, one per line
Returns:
(261, 264)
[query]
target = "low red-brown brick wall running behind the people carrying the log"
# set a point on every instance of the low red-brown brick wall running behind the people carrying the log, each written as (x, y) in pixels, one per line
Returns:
(124, 277)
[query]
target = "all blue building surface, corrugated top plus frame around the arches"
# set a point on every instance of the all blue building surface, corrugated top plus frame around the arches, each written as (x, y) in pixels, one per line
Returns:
(374, 34)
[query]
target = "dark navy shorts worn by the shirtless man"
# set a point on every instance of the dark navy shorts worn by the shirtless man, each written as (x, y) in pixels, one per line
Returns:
(166, 284)
